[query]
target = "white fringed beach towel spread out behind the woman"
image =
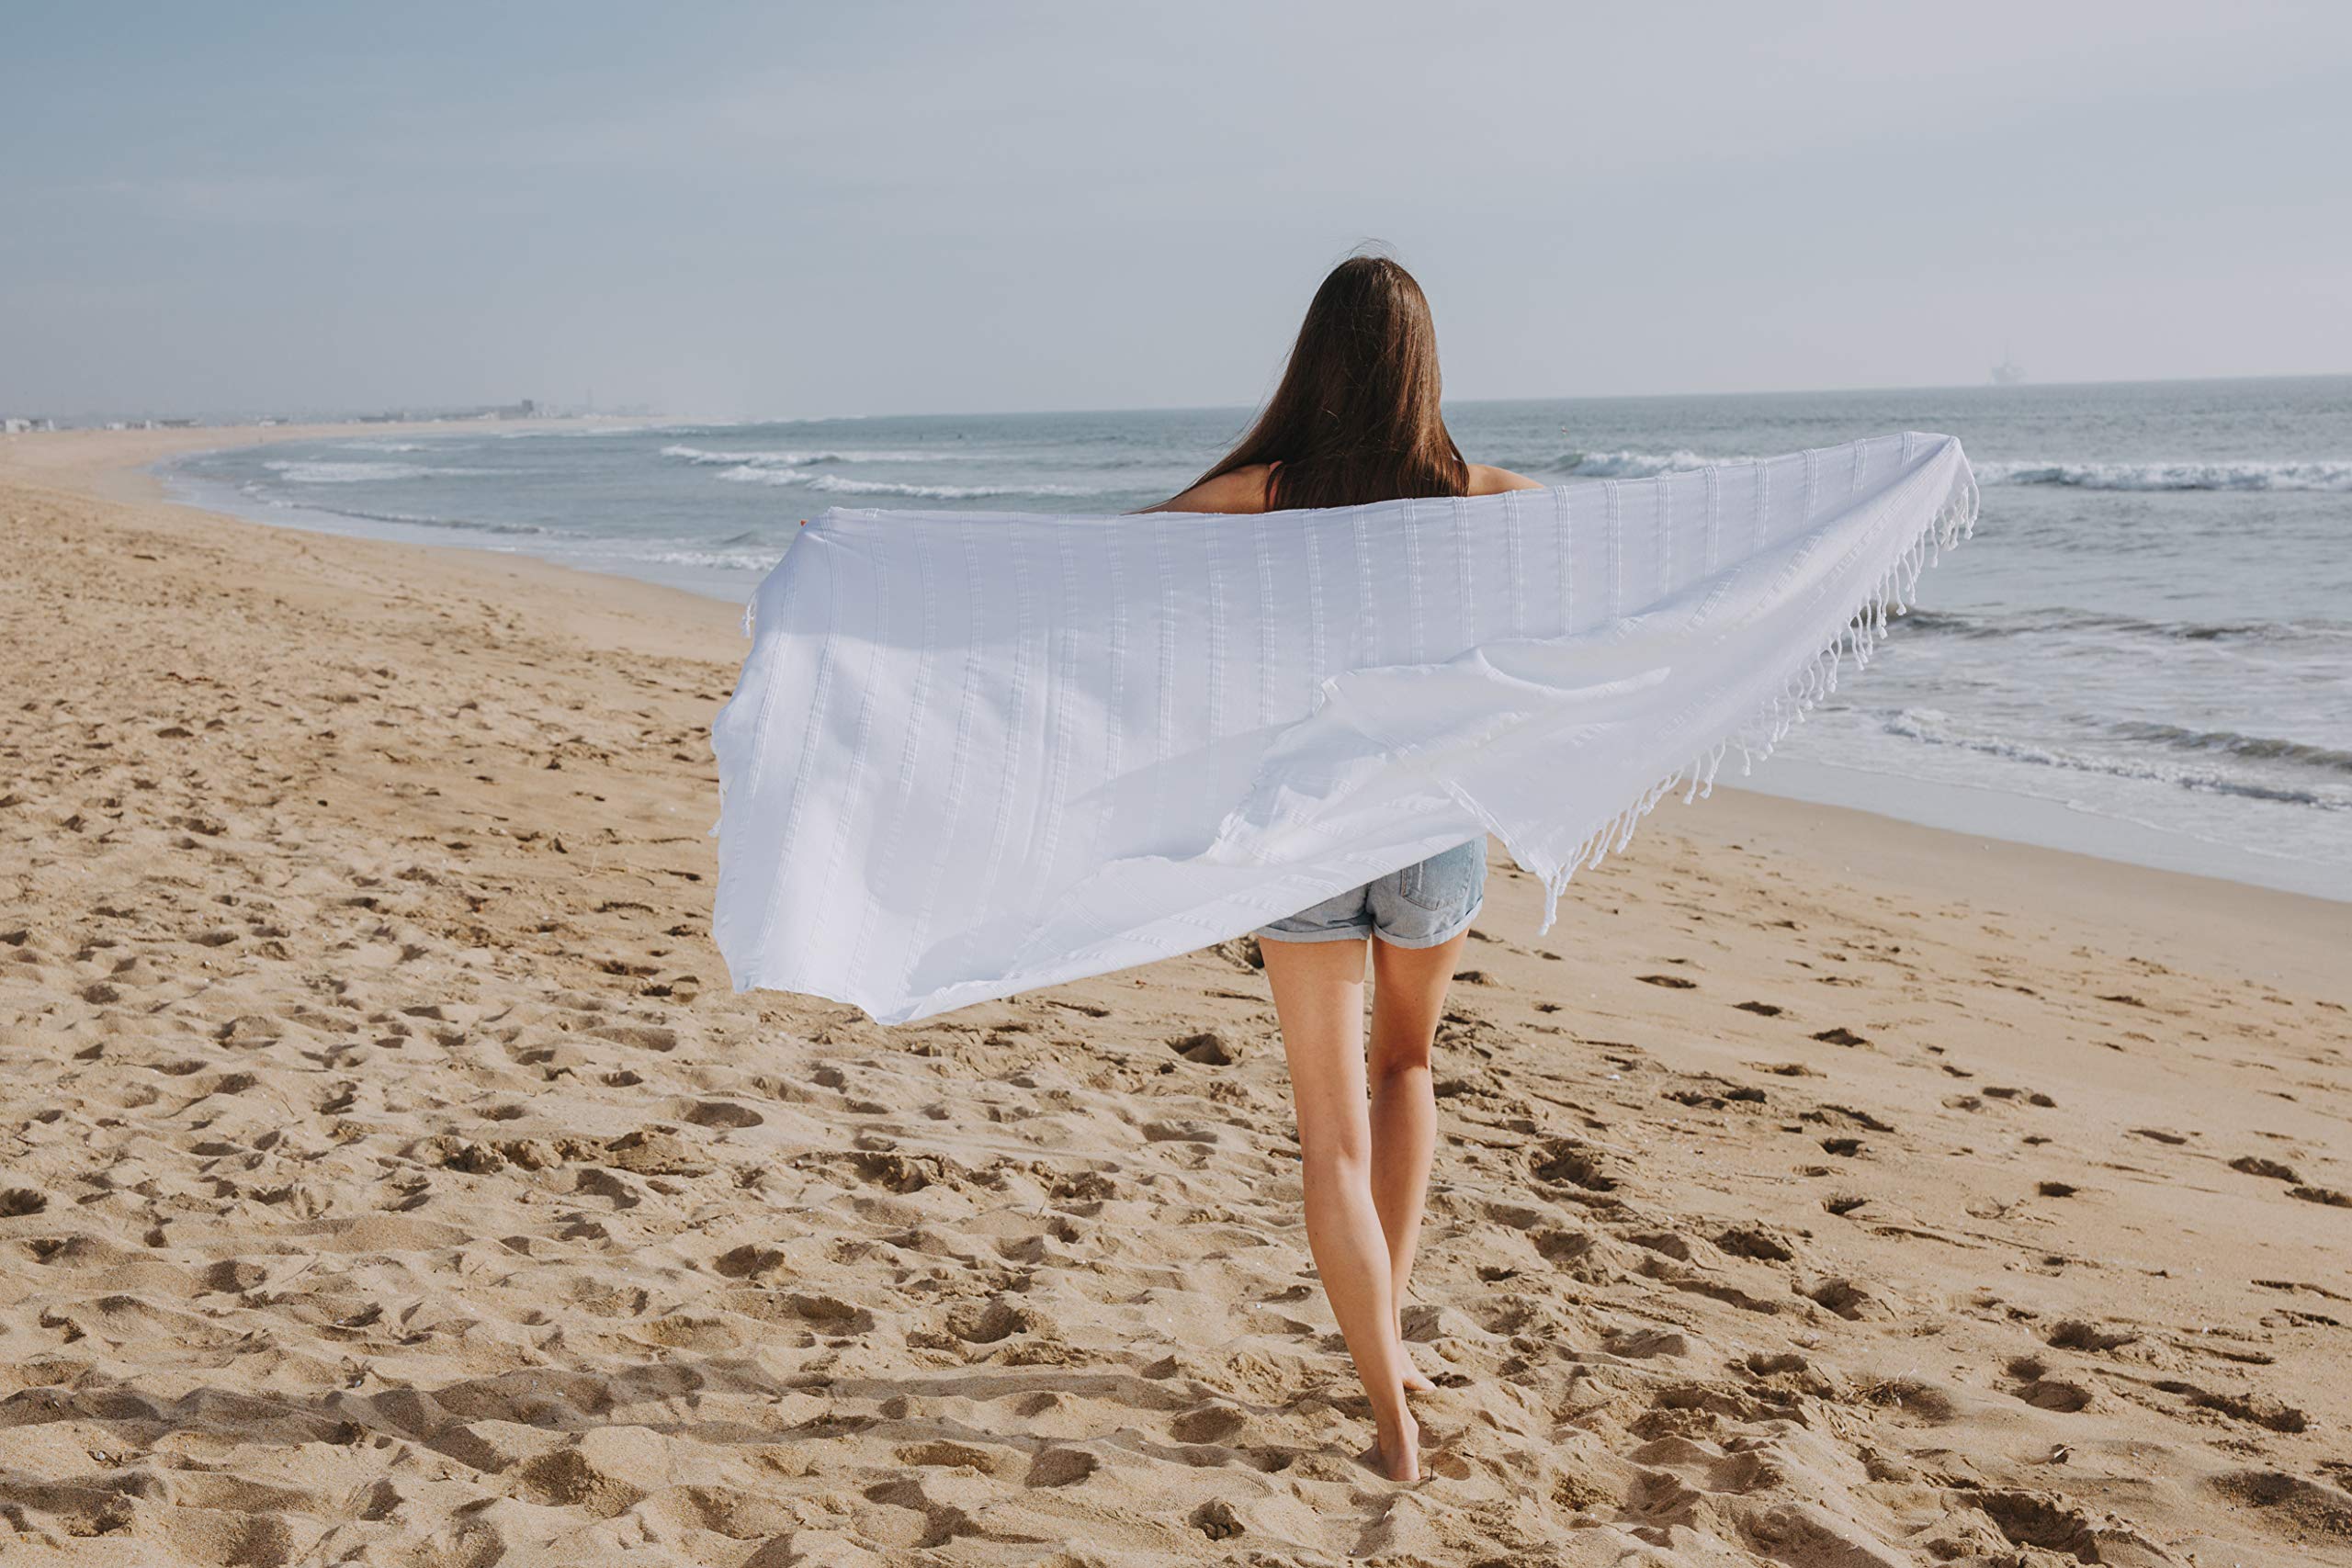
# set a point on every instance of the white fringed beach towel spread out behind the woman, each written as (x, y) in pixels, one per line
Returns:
(975, 753)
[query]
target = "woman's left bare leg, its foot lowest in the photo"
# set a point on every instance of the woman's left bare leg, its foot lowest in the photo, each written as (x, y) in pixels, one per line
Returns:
(1321, 1000)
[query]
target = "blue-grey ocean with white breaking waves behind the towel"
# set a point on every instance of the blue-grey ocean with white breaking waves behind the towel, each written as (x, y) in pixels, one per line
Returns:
(2146, 652)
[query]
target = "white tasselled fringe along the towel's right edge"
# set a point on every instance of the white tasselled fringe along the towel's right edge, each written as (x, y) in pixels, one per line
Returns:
(1808, 685)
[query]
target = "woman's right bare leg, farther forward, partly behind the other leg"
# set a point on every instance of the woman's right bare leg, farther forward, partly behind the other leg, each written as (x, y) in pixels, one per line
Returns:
(1408, 1000)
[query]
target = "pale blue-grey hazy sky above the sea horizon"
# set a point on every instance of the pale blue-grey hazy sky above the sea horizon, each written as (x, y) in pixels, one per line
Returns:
(796, 210)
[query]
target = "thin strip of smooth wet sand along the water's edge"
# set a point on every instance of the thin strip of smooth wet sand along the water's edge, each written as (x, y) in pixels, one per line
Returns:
(1977, 812)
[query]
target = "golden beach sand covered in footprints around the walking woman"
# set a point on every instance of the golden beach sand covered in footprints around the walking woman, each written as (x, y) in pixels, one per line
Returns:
(392, 1177)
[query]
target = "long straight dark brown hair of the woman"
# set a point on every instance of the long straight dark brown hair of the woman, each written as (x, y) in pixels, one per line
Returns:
(1356, 417)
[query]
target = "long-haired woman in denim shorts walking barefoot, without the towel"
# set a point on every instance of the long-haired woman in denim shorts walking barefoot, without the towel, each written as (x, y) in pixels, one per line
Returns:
(1356, 420)
